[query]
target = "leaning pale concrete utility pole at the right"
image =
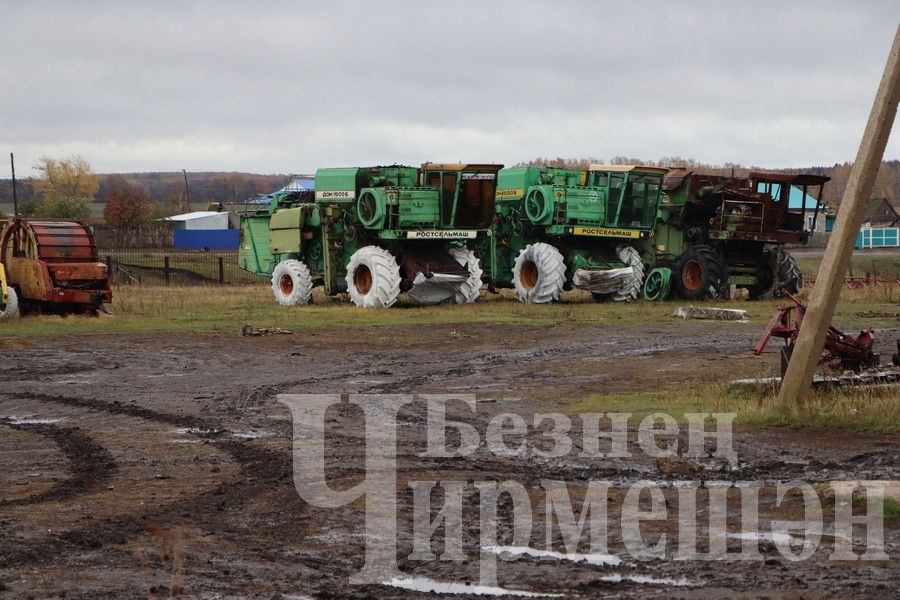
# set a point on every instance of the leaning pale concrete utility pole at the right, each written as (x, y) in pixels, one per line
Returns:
(804, 359)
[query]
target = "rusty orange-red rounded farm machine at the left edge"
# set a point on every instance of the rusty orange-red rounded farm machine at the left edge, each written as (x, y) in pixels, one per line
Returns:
(53, 265)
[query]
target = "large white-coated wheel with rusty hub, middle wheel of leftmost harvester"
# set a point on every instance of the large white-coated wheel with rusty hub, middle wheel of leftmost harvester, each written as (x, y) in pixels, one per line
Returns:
(373, 278)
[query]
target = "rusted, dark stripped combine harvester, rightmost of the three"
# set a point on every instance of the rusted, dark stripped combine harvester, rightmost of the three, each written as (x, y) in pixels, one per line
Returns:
(716, 231)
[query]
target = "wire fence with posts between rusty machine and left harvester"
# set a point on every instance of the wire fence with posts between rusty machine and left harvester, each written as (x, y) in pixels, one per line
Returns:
(176, 267)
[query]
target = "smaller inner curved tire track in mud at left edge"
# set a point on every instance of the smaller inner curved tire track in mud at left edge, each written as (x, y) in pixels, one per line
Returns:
(90, 463)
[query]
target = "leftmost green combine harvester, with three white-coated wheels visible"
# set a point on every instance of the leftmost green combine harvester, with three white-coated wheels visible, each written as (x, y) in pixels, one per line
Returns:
(373, 233)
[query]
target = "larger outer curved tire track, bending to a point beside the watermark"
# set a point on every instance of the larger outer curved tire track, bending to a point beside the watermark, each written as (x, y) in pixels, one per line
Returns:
(260, 470)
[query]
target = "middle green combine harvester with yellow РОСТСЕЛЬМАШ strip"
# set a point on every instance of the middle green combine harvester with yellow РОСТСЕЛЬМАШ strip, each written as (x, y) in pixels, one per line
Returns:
(558, 229)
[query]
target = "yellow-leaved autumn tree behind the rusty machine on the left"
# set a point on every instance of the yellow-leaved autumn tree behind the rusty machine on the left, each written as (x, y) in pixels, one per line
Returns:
(65, 187)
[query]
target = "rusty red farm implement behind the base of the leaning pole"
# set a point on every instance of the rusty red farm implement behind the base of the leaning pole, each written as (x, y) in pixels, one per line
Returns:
(841, 350)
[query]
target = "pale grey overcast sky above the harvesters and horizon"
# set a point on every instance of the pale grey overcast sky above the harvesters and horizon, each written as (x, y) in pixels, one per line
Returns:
(289, 87)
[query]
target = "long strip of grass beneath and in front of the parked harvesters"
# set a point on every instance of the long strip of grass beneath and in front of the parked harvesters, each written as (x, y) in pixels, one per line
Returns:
(227, 308)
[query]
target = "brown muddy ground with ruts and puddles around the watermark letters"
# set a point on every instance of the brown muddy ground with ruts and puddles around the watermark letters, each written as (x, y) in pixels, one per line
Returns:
(160, 465)
